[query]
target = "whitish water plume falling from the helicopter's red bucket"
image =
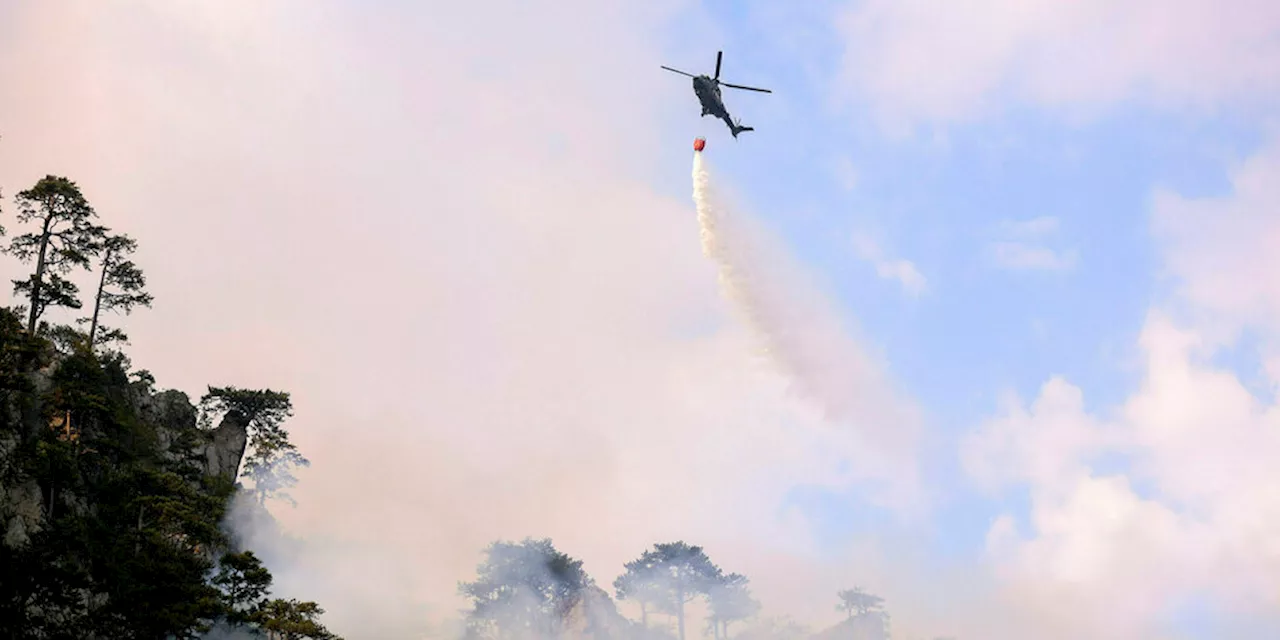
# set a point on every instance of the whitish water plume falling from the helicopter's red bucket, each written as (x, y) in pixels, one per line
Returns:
(799, 335)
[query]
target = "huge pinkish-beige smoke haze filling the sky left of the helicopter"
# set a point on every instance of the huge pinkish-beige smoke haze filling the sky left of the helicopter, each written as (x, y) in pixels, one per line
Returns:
(493, 328)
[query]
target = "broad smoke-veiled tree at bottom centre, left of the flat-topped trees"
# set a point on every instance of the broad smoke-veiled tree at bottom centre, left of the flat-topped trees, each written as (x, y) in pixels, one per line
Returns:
(524, 589)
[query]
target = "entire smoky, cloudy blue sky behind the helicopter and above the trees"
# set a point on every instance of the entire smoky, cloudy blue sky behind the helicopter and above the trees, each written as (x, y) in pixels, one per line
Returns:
(1034, 240)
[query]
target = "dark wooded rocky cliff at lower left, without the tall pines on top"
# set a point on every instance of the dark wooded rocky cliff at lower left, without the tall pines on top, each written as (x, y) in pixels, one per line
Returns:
(112, 496)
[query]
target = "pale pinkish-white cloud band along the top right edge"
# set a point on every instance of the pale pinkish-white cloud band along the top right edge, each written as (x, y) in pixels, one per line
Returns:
(920, 61)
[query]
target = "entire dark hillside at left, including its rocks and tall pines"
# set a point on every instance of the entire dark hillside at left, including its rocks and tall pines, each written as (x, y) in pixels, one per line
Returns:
(112, 492)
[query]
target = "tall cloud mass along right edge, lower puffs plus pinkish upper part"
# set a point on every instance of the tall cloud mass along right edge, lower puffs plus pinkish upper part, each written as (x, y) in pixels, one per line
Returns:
(1197, 511)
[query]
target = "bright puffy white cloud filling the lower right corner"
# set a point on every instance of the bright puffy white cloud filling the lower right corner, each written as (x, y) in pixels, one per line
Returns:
(1208, 527)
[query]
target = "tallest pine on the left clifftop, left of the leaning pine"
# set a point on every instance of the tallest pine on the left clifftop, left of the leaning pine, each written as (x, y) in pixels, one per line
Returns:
(66, 239)
